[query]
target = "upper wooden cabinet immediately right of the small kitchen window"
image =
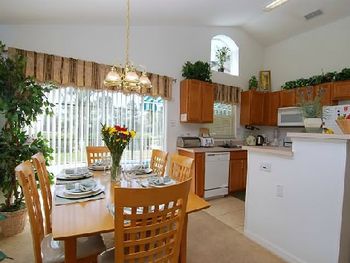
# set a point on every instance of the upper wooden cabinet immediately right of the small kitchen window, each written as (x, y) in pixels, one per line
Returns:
(252, 107)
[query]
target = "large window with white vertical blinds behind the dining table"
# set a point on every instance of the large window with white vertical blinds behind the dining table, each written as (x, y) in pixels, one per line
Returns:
(78, 115)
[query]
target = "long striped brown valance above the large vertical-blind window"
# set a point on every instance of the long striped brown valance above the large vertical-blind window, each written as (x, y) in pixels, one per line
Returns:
(81, 74)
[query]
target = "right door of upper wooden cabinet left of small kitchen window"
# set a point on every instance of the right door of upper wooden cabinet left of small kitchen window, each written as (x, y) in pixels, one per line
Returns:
(207, 102)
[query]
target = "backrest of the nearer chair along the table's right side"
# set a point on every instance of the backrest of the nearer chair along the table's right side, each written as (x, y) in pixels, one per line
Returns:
(180, 167)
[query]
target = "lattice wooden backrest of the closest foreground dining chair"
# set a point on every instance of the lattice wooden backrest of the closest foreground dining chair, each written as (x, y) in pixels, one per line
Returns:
(149, 223)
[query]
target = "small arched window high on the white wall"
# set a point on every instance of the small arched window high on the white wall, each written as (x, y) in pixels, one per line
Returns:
(219, 42)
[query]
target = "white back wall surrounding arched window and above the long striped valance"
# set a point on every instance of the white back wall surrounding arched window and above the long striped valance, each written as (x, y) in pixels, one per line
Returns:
(162, 50)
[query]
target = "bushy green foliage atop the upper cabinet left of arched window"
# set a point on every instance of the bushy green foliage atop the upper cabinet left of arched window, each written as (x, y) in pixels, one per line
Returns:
(199, 70)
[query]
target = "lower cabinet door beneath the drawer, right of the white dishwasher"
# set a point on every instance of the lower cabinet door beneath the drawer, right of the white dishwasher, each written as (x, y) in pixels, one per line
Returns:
(237, 175)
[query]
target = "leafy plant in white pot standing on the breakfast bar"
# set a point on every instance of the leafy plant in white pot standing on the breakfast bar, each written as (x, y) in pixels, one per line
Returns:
(312, 109)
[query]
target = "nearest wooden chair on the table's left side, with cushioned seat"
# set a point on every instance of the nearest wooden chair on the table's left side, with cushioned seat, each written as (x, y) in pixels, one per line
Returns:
(45, 248)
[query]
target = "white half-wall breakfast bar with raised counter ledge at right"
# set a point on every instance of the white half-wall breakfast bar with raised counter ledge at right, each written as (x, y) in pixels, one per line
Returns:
(297, 204)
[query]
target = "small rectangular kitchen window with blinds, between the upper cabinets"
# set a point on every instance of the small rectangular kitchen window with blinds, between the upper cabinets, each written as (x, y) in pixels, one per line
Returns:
(223, 125)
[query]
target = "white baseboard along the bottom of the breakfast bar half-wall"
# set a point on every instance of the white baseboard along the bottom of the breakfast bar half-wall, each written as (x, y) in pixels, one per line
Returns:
(273, 248)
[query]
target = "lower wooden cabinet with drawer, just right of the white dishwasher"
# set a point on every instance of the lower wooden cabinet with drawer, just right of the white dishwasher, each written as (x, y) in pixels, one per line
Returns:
(238, 171)
